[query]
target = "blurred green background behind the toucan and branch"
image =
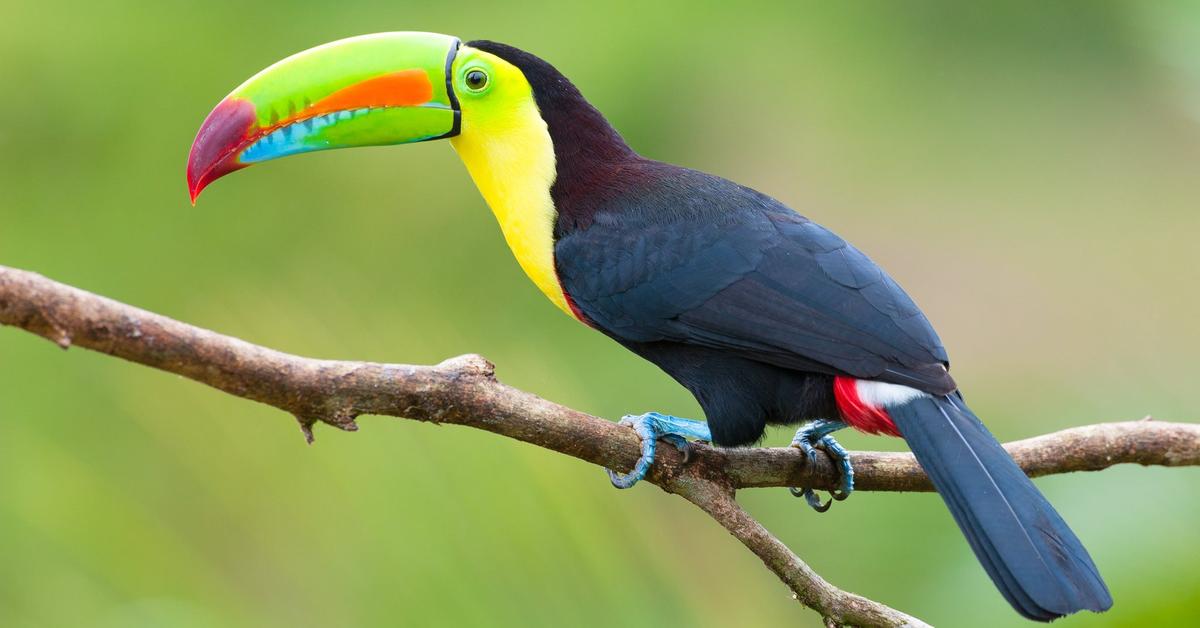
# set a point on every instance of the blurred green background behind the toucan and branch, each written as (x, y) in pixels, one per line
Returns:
(1028, 171)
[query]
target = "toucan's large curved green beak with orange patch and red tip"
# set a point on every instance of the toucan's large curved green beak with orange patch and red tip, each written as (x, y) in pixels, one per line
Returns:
(391, 88)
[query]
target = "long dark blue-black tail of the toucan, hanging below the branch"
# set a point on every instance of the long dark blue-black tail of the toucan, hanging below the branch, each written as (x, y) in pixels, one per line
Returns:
(1025, 547)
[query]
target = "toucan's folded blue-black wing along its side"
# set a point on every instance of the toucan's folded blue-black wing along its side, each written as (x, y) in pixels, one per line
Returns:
(701, 261)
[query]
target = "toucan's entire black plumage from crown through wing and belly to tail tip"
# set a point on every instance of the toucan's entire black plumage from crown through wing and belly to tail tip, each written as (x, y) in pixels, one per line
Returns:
(757, 310)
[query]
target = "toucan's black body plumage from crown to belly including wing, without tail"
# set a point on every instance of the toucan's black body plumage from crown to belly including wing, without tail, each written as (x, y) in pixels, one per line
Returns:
(705, 278)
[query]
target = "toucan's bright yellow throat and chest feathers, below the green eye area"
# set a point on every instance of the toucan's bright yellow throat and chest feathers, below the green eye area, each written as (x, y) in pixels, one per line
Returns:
(513, 165)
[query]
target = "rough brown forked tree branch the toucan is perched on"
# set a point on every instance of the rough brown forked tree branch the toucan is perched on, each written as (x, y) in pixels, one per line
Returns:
(464, 391)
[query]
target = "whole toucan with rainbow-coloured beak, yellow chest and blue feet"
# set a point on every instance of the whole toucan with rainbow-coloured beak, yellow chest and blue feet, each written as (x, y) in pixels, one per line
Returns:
(767, 318)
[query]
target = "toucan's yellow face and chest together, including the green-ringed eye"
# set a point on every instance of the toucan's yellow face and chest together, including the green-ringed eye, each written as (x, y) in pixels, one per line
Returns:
(508, 152)
